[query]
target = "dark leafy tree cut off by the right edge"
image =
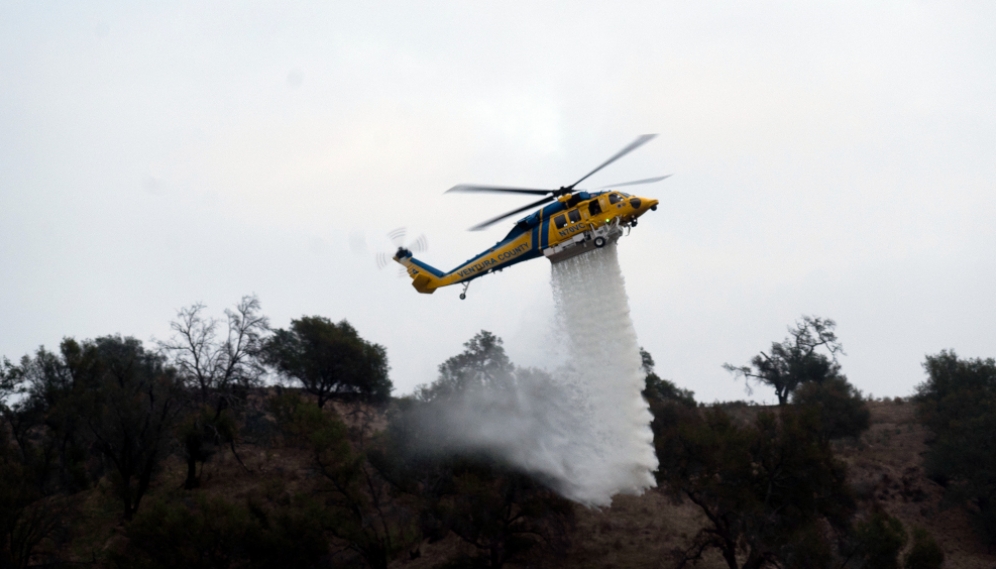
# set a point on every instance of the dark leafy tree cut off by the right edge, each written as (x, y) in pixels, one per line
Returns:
(958, 403)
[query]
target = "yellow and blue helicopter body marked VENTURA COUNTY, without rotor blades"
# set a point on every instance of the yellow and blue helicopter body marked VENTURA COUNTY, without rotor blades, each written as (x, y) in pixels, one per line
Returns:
(572, 225)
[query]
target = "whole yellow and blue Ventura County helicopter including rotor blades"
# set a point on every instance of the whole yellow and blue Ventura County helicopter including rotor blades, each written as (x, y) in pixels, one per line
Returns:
(576, 222)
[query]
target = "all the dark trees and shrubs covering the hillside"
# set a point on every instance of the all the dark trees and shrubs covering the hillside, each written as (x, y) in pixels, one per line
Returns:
(106, 412)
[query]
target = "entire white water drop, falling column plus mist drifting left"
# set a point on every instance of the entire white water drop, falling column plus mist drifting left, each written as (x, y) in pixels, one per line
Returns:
(587, 431)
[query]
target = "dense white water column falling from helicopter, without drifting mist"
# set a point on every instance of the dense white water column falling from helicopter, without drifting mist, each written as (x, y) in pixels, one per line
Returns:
(604, 363)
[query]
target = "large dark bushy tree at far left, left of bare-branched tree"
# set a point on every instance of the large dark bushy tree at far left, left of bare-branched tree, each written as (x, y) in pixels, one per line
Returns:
(107, 398)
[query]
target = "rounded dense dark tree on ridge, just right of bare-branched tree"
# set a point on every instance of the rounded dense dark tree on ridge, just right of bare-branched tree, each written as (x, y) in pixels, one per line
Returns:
(330, 360)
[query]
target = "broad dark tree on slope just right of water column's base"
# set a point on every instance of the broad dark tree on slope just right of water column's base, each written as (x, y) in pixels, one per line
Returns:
(764, 487)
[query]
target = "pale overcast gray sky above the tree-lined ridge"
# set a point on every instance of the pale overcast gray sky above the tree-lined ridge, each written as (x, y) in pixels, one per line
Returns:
(829, 158)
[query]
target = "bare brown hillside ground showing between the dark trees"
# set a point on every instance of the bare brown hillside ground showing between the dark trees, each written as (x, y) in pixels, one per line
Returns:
(637, 531)
